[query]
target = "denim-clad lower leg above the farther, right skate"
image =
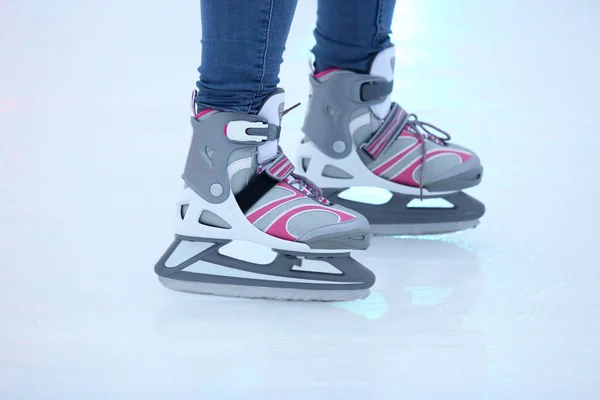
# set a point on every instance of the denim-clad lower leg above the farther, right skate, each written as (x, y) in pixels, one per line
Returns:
(350, 33)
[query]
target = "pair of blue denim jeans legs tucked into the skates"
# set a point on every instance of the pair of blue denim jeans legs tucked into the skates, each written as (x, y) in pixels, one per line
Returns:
(243, 43)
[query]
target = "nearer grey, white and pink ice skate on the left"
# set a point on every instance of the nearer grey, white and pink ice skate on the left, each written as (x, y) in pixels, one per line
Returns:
(230, 198)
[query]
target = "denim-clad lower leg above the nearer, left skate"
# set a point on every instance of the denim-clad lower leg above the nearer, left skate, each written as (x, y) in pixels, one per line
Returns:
(242, 47)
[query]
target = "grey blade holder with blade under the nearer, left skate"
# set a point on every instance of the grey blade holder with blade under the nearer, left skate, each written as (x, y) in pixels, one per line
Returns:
(195, 265)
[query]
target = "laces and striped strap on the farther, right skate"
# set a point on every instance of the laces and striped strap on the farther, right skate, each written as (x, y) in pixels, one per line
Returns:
(397, 121)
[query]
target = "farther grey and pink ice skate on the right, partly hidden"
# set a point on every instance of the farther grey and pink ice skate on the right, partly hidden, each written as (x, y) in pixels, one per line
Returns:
(355, 137)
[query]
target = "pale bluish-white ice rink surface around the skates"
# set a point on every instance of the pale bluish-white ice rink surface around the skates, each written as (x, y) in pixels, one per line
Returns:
(94, 129)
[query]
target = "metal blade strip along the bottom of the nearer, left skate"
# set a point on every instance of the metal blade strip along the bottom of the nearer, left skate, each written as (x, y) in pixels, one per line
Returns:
(261, 292)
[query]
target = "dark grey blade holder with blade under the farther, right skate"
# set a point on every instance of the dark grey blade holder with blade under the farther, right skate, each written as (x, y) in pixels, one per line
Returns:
(396, 217)
